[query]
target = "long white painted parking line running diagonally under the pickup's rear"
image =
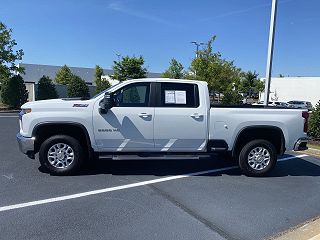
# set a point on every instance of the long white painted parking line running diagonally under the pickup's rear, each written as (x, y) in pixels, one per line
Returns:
(132, 185)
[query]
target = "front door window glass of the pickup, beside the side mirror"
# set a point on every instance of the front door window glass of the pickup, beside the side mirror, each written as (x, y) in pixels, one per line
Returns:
(133, 95)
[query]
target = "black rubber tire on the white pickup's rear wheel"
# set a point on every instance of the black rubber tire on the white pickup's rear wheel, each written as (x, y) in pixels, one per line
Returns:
(250, 170)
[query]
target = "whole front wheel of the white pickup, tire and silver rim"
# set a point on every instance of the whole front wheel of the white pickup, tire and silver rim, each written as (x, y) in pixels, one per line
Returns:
(61, 155)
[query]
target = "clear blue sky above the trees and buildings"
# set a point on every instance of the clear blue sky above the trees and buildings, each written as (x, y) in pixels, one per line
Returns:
(85, 33)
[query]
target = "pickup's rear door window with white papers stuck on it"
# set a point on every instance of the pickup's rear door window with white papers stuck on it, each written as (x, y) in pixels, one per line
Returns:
(179, 95)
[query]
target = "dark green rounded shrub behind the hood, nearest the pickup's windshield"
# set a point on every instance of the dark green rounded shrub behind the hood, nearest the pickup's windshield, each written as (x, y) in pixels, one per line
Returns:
(77, 88)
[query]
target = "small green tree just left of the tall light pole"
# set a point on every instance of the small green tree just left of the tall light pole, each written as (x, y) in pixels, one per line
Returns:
(251, 85)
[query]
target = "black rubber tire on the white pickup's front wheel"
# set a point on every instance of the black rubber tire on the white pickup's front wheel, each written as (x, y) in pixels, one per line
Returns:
(62, 169)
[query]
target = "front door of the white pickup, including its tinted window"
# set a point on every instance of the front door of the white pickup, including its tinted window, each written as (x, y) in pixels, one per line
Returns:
(128, 126)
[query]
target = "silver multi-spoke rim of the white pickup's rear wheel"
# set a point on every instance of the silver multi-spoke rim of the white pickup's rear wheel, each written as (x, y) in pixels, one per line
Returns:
(259, 158)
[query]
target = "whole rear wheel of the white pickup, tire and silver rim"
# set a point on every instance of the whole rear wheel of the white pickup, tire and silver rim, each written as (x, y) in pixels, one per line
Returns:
(257, 158)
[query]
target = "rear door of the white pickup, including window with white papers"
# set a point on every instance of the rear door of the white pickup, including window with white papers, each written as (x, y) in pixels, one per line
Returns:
(180, 123)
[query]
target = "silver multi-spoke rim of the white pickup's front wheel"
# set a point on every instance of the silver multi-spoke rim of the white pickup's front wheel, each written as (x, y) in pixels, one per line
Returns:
(60, 155)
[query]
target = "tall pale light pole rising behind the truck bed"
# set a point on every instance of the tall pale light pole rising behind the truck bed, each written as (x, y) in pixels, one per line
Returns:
(270, 51)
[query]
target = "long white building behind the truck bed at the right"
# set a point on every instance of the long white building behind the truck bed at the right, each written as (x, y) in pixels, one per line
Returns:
(294, 88)
